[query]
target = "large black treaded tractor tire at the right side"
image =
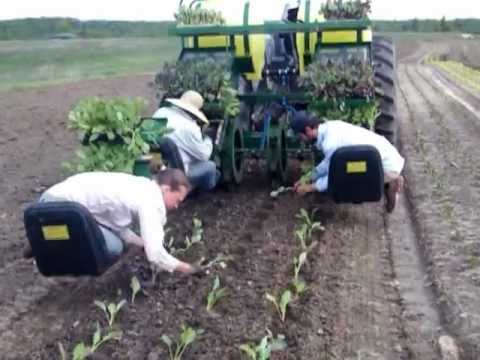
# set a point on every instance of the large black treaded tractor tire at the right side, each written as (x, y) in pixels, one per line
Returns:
(383, 52)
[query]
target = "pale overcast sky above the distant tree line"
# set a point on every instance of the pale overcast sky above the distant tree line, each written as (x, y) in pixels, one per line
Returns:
(155, 10)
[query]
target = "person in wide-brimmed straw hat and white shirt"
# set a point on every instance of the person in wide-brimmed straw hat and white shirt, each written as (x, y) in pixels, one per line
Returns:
(186, 120)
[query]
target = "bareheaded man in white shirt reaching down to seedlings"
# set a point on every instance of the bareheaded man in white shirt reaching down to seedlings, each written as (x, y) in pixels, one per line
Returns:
(116, 200)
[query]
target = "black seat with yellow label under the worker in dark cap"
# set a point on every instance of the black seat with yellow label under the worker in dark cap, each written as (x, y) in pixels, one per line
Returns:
(356, 175)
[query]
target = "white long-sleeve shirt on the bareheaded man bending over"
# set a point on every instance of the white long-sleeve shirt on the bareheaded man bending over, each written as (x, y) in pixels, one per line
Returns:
(116, 200)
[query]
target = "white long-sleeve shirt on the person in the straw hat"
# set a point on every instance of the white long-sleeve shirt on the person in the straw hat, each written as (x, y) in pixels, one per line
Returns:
(187, 135)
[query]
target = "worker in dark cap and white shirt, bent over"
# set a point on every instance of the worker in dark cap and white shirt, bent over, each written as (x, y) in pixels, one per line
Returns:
(330, 136)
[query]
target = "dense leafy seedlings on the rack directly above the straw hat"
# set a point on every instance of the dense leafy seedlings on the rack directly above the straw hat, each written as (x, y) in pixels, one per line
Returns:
(206, 75)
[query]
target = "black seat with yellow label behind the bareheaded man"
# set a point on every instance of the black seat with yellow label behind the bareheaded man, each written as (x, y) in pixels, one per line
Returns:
(66, 240)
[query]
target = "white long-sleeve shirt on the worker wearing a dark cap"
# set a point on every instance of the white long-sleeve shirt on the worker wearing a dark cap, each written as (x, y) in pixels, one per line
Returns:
(336, 134)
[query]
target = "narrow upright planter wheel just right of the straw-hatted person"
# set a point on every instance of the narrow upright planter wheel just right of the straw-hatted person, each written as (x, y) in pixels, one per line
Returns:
(232, 155)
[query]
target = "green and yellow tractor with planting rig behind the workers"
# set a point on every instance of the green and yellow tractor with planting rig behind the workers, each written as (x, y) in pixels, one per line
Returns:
(270, 61)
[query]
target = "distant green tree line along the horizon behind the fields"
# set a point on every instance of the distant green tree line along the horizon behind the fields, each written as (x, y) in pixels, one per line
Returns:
(44, 28)
